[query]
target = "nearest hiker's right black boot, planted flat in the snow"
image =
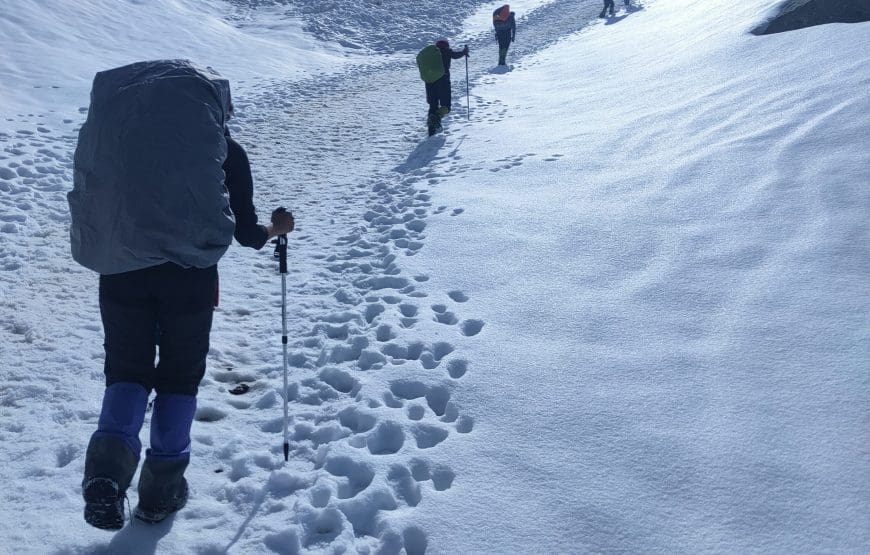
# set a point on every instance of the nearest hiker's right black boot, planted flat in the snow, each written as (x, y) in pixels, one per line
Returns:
(162, 488)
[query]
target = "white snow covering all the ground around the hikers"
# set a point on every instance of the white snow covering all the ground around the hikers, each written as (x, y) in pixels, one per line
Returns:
(625, 306)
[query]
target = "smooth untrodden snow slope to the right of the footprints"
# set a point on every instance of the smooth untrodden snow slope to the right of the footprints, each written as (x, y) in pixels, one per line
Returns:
(675, 284)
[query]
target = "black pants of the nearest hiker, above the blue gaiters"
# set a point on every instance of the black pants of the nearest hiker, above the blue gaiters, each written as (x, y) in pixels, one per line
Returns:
(164, 305)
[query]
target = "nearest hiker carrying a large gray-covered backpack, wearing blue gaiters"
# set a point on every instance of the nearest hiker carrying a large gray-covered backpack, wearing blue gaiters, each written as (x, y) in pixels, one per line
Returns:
(153, 210)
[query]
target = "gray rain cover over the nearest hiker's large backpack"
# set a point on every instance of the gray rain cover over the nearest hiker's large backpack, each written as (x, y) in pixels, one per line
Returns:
(148, 184)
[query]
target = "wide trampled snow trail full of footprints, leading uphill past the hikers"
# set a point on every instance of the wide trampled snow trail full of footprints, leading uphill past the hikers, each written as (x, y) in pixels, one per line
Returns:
(375, 355)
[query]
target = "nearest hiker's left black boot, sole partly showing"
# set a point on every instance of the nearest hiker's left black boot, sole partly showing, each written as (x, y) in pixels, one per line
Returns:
(109, 468)
